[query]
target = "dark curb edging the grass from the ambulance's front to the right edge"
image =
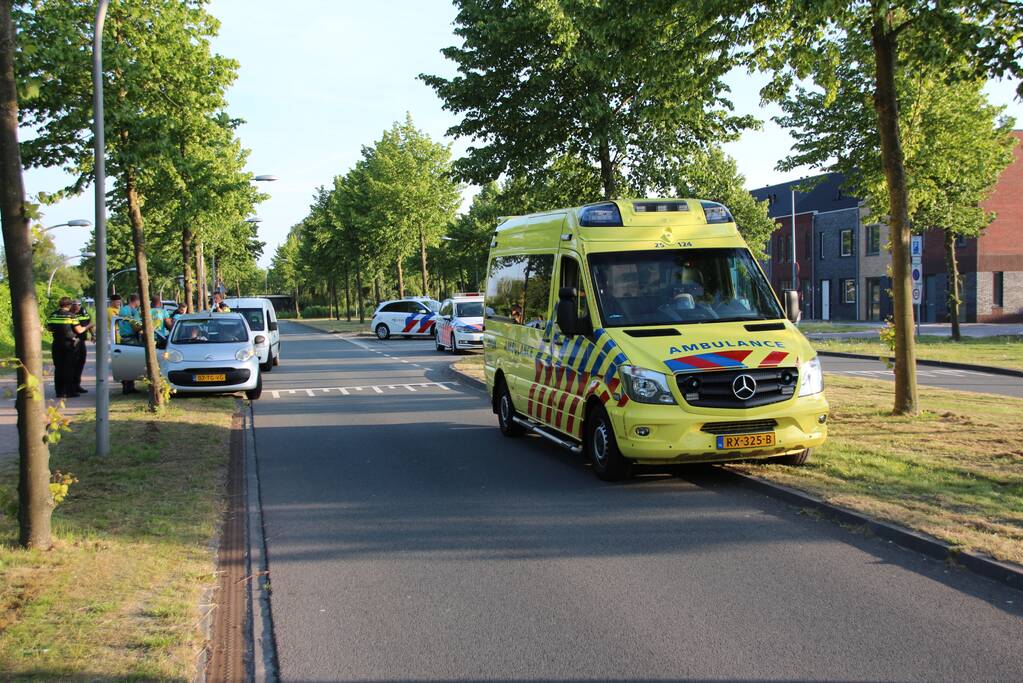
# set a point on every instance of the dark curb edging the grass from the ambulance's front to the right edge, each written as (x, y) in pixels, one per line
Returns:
(1004, 573)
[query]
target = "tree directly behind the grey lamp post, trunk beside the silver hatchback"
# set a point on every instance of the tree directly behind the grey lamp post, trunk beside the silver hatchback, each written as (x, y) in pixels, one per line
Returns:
(163, 82)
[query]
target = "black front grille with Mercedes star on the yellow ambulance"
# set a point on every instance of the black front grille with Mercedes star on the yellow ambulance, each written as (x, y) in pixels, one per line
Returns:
(715, 390)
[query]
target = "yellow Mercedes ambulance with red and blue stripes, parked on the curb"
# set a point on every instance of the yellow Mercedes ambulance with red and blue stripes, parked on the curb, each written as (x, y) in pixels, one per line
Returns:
(645, 332)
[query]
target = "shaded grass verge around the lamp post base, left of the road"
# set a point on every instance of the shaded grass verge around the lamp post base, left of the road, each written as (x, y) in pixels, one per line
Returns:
(118, 597)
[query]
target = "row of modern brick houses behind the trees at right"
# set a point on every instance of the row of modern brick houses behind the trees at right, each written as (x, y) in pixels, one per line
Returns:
(842, 261)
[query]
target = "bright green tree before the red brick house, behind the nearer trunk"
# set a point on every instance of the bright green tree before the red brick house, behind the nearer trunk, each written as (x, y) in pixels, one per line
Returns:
(955, 149)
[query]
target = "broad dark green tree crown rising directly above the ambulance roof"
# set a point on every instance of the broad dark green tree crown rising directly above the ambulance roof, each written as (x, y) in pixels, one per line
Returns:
(618, 84)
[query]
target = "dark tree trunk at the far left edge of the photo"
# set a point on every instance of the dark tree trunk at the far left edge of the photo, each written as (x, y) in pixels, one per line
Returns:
(35, 500)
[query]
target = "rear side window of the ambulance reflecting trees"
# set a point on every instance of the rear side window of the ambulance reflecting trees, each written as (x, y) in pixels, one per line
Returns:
(519, 289)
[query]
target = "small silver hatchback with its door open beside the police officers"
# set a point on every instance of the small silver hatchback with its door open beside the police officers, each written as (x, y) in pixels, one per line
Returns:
(206, 353)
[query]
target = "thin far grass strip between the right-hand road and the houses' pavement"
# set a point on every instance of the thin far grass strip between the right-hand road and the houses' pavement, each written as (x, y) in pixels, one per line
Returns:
(1005, 351)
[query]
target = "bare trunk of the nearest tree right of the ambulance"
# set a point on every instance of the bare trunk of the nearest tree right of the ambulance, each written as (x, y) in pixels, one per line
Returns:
(886, 107)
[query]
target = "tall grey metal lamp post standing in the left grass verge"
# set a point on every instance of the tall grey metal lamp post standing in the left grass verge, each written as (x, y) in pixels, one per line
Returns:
(103, 334)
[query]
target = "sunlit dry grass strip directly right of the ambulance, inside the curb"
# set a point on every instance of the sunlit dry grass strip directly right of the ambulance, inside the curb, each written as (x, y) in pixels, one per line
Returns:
(956, 472)
